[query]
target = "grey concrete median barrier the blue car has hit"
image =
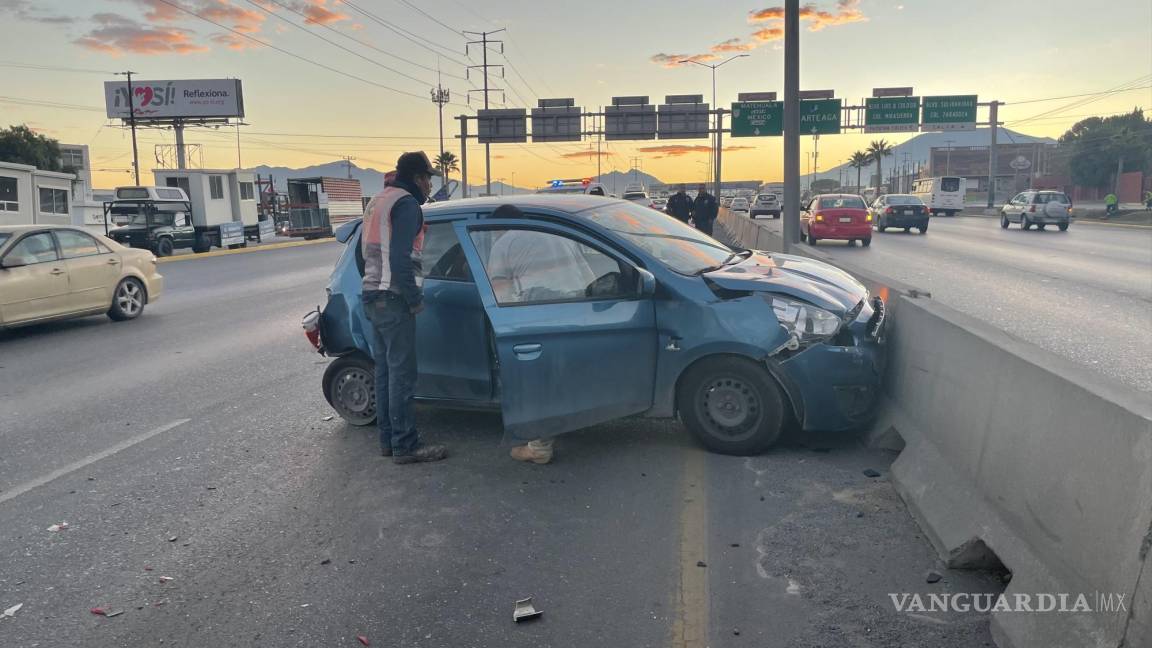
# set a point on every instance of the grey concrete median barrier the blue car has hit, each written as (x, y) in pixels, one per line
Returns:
(1015, 456)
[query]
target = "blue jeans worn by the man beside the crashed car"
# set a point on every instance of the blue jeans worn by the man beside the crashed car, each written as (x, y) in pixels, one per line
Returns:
(395, 352)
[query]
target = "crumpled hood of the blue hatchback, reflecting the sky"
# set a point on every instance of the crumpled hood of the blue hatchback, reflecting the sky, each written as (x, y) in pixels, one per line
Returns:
(815, 282)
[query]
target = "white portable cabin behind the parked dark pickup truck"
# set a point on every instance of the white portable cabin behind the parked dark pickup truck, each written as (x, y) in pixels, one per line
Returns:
(218, 197)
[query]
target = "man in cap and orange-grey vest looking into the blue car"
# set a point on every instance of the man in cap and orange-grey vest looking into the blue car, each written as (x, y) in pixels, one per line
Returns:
(392, 244)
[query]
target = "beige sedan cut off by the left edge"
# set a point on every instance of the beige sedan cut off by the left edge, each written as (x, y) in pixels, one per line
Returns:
(52, 273)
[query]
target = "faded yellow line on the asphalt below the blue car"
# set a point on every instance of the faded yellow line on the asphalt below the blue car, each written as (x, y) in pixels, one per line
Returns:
(691, 628)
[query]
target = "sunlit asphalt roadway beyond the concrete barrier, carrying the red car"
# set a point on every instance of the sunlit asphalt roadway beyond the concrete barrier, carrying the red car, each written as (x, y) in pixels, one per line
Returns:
(1085, 295)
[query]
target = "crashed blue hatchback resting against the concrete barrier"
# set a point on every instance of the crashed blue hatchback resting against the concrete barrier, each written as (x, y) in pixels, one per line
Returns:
(590, 310)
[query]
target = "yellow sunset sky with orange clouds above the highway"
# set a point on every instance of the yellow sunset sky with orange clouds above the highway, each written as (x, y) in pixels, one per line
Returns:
(1035, 55)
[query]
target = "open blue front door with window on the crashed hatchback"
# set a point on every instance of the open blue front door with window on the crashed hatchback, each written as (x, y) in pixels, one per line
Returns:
(574, 326)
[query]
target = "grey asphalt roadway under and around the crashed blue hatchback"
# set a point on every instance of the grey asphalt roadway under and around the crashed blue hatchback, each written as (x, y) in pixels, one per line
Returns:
(193, 446)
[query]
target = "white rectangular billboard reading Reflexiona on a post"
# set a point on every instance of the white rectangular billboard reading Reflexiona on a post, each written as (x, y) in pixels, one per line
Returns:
(172, 100)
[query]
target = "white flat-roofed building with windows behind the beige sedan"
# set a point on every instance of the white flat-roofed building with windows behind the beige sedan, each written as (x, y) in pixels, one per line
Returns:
(29, 195)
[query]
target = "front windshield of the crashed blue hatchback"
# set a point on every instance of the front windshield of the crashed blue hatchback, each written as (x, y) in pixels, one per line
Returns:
(674, 244)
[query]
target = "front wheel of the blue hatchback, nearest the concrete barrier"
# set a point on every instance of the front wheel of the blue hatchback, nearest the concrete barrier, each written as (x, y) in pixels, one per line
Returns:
(732, 405)
